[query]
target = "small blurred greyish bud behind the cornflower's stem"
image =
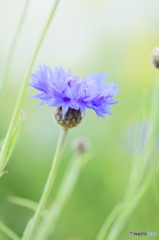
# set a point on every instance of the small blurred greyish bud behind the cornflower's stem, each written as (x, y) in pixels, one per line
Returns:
(81, 145)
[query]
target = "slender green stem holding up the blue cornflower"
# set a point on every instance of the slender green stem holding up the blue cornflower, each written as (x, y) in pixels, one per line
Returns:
(31, 227)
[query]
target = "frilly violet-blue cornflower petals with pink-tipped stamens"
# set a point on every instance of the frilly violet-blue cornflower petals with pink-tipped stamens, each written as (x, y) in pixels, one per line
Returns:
(60, 88)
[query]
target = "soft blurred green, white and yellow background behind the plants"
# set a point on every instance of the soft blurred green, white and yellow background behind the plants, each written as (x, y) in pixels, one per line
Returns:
(87, 36)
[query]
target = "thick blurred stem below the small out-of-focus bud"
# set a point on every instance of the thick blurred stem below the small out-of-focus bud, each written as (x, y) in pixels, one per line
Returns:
(47, 225)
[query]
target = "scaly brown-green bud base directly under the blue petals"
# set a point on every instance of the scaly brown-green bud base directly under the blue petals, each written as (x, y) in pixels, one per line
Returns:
(71, 119)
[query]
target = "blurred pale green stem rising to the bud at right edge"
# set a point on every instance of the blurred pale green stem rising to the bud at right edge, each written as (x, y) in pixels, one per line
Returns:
(137, 174)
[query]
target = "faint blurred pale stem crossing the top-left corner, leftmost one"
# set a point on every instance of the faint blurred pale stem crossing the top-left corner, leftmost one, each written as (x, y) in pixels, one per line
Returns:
(12, 49)
